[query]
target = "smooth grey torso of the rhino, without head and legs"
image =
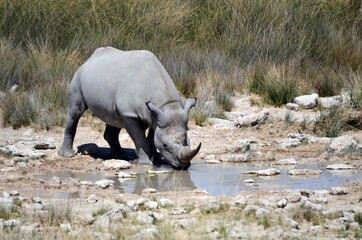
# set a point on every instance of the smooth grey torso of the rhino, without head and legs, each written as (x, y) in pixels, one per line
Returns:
(117, 84)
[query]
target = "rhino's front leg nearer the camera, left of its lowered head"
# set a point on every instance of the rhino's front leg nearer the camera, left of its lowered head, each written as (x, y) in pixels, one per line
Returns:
(136, 130)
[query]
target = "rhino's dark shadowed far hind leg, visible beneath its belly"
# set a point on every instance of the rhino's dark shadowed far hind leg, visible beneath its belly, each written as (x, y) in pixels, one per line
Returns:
(111, 135)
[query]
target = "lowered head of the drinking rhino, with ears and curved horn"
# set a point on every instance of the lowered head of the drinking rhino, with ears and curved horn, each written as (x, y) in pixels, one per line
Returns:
(171, 134)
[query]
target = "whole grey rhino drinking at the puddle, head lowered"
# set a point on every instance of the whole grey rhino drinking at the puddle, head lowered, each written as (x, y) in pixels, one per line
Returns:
(131, 90)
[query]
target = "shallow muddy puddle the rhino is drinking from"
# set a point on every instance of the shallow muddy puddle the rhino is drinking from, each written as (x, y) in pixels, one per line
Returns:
(219, 179)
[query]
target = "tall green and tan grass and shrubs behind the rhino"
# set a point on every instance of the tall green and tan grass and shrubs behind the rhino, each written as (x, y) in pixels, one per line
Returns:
(211, 48)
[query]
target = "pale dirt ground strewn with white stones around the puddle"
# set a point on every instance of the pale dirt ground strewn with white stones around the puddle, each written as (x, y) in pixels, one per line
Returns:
(265, 137)
